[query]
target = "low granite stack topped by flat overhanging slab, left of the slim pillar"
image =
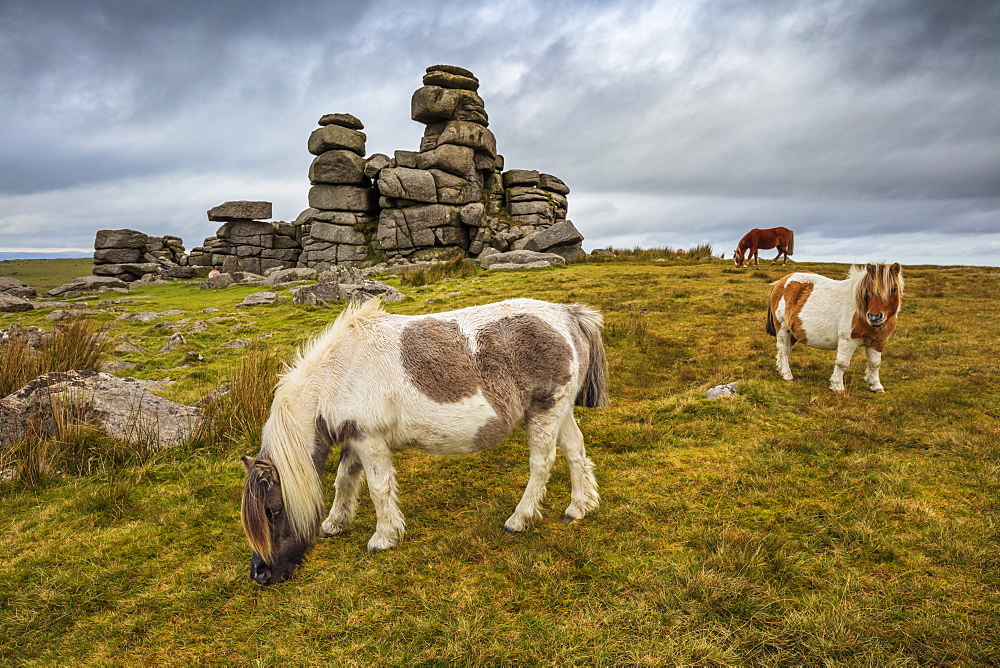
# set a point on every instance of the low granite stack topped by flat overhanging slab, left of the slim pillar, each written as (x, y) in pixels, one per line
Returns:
(245, 243)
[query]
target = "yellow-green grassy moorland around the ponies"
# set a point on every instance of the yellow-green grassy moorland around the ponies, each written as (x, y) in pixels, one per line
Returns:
(789, 525)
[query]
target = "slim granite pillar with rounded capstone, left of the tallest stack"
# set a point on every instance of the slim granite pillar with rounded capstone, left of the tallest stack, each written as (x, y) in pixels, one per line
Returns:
(339, 225)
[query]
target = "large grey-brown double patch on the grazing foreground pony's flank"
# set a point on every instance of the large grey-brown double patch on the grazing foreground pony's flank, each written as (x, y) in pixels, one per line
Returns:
(520, 364)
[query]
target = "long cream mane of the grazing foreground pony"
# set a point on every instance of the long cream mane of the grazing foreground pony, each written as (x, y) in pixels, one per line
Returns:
(290, 432)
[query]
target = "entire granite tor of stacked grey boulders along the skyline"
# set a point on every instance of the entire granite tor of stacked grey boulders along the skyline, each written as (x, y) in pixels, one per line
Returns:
(448, 197)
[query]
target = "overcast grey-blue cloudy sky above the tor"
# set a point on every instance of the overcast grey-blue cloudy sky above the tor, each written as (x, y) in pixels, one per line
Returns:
(872, 129)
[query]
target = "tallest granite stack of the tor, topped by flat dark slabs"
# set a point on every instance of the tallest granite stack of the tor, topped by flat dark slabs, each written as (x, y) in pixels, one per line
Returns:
(433, 200)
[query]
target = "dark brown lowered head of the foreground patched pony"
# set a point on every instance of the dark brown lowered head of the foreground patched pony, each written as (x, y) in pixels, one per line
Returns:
(277, 548)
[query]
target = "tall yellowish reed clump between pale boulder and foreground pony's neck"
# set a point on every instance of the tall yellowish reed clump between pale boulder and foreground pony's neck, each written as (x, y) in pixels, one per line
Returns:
(236, 412)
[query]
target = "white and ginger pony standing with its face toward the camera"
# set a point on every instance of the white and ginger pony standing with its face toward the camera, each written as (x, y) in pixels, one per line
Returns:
(837, 315)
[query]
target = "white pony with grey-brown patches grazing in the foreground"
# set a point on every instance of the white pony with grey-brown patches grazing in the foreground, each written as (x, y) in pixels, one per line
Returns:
(446, 383)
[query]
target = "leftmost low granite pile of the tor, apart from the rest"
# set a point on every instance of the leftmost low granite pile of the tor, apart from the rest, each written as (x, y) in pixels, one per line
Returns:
(129, 255)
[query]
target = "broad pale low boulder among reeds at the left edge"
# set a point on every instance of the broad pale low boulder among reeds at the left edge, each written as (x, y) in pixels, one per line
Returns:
(123, 408)
